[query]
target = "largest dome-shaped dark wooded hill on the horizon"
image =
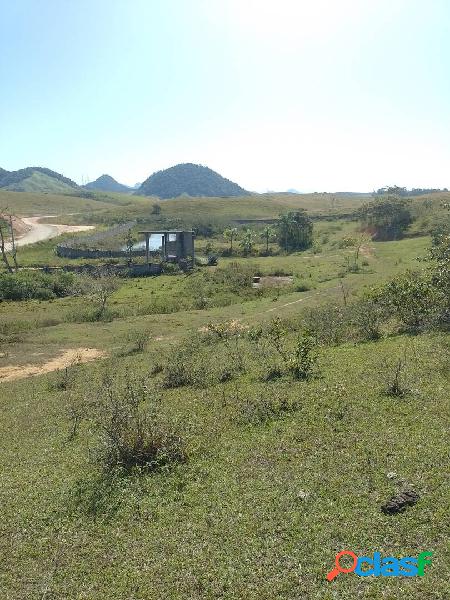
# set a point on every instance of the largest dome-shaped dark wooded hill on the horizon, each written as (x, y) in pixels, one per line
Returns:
(189, 179)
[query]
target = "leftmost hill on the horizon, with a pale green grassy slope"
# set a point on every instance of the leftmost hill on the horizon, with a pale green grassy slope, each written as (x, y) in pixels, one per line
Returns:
(36, 179)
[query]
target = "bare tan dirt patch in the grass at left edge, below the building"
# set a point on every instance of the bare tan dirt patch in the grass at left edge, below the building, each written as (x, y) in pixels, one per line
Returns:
(67, 358)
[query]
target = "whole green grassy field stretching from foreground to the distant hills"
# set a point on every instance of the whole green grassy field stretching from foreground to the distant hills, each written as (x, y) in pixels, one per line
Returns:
(279, 474)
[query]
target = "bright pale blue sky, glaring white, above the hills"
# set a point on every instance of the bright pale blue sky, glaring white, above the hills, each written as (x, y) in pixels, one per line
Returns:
(316, 95)
